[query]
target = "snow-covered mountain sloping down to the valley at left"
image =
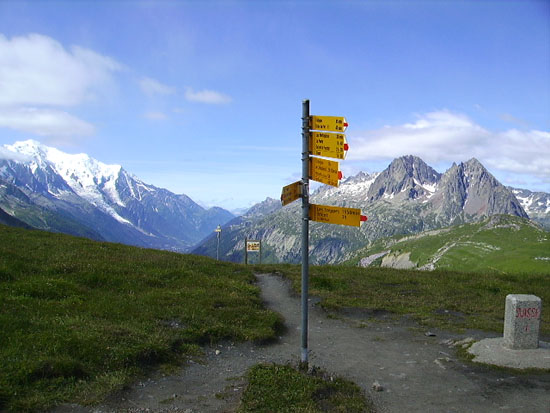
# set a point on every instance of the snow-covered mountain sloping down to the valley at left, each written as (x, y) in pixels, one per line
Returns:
(49, 189)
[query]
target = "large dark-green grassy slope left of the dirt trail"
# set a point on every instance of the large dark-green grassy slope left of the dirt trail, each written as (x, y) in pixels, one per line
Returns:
(81, 318)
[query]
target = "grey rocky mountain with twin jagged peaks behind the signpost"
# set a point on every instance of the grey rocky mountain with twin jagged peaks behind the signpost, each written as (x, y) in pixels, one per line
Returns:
(408, 197)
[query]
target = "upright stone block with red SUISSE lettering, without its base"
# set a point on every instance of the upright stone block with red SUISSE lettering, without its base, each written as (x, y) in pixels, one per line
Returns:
(522, 321)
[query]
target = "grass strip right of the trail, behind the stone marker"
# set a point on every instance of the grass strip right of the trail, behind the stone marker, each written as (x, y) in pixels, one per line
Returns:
(446, 299)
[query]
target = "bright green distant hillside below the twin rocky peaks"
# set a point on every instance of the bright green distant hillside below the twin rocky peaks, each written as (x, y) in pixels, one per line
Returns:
(511, 247)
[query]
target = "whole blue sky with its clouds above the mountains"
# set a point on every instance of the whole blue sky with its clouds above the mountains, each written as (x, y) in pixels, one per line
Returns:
(204, 97)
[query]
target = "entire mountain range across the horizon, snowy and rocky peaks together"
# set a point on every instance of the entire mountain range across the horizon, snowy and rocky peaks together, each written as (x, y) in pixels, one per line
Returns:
(49, 189)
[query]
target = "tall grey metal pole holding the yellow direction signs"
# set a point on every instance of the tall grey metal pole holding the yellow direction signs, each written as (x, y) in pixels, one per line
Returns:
(305, 227)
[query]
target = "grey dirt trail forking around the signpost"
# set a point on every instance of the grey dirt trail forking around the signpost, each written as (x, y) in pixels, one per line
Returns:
(418, 373)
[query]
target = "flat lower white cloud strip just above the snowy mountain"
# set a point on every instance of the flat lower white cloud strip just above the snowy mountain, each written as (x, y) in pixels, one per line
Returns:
(44, 122)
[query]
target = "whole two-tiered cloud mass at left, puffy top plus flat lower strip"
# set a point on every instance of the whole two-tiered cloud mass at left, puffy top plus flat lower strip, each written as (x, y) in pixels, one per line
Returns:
(38, 76)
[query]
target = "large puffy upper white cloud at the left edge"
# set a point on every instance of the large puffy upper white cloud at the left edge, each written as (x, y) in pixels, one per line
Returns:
(38, 70)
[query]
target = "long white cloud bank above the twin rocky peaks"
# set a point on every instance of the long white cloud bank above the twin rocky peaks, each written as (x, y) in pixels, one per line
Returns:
(444, 137)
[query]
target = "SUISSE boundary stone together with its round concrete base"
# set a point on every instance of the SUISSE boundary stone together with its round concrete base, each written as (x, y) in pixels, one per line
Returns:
(520, 347)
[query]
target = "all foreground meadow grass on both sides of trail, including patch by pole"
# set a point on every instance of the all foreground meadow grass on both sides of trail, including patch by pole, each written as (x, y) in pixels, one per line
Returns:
(81, 319)
